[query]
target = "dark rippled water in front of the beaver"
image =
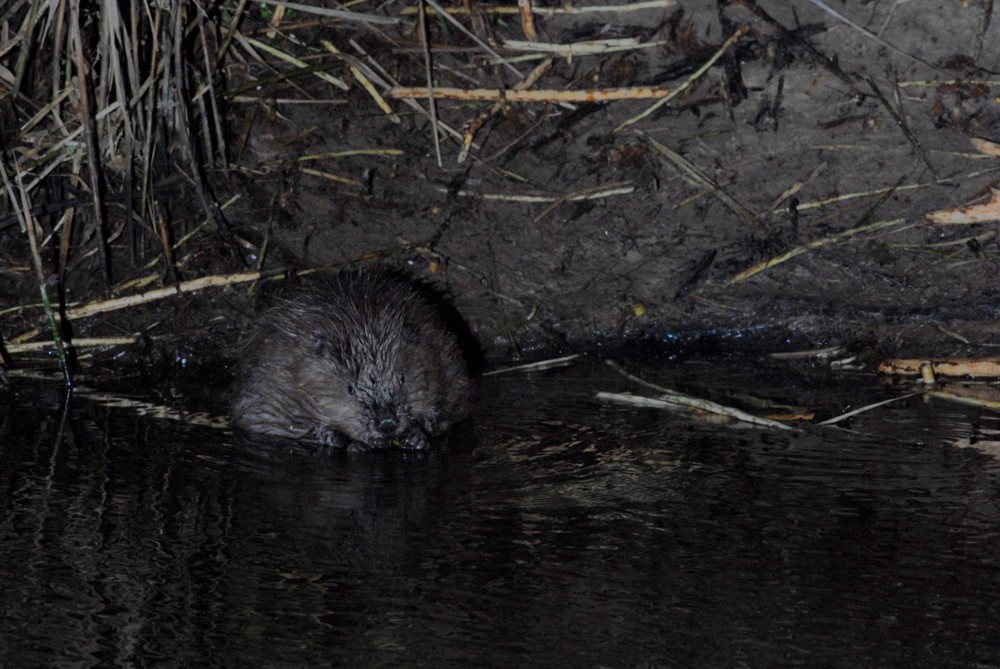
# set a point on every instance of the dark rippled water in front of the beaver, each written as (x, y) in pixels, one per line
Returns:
(554, 531)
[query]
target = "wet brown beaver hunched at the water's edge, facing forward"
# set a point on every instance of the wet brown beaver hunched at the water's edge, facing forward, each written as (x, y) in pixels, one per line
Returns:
(367, 359)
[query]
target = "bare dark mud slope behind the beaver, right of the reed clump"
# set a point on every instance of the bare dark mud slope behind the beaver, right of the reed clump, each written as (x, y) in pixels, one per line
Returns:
(664, 257)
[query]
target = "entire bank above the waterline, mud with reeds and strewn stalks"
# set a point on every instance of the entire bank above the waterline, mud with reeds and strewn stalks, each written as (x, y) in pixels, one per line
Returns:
(573, 173)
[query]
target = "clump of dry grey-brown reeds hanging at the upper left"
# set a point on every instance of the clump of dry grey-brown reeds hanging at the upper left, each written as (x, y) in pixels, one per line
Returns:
(104, 98)
